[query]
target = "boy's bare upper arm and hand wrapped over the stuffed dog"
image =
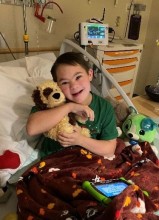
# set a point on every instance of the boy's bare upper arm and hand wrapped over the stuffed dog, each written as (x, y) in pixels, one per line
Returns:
(42, 121)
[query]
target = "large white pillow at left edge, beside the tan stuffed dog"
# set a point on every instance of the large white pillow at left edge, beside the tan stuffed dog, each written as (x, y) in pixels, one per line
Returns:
(16, 101)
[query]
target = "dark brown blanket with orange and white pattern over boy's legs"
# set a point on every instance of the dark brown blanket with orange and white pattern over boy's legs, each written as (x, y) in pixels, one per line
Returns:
(52, 188)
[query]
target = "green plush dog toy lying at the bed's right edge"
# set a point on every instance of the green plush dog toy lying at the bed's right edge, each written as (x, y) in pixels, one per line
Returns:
(139, 128)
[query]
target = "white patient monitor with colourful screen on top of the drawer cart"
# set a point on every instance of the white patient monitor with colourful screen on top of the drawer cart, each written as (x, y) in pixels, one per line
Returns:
(93, 33)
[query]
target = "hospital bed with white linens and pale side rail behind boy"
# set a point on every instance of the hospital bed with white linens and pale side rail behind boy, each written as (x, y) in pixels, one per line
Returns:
(18, 79)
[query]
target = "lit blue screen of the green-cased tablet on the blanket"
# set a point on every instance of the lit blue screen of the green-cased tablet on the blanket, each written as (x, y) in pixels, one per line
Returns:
(111, 189)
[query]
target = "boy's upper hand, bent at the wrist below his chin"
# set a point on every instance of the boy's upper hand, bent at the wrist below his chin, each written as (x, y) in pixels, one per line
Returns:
(84, 111)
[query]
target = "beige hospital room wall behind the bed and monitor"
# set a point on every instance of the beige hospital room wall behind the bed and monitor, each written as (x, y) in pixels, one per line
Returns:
(11, 23)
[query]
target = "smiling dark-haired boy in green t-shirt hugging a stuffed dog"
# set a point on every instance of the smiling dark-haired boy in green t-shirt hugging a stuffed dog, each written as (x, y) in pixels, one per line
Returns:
(73, 75)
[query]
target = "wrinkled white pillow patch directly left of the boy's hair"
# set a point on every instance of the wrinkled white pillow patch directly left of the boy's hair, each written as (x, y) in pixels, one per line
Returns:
(39, 67)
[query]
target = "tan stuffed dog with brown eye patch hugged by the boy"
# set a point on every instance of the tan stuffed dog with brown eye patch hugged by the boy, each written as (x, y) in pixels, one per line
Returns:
(48, 95)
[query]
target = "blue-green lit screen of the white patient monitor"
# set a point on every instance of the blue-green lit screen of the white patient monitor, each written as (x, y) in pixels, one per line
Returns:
(96, 32)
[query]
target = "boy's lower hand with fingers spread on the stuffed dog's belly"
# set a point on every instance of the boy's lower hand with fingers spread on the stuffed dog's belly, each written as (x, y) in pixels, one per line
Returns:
(66, 139)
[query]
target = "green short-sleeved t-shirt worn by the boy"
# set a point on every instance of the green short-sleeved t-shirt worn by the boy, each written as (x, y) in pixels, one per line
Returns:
(102, 128)
